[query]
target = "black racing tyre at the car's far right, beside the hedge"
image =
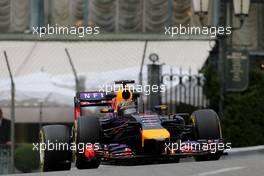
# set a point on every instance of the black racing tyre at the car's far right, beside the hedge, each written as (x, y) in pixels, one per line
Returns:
(206, 126)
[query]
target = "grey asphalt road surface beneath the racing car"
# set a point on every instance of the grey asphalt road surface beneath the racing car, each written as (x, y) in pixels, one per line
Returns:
(231, 165)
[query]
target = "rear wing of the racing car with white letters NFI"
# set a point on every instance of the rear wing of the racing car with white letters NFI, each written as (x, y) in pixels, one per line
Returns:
(93, 98)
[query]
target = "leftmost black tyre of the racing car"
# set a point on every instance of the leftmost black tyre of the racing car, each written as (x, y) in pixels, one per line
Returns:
(57, 153)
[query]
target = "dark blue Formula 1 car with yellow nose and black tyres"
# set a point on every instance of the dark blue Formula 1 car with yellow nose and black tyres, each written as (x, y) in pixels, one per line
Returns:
(122, 132)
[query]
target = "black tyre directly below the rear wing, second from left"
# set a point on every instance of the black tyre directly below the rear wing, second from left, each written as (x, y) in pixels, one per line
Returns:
(88, 132)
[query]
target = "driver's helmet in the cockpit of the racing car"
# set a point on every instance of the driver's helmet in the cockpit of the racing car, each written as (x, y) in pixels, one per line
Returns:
(127, 107)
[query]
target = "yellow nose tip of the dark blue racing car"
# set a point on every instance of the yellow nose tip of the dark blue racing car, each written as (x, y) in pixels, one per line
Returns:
(154, 134)
